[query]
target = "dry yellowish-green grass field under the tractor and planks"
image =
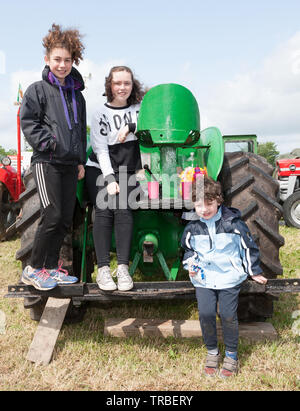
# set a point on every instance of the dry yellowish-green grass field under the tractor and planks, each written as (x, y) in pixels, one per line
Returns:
(84, 359)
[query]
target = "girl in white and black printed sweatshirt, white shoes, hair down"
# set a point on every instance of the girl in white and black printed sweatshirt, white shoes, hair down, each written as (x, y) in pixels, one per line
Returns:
(112, 166)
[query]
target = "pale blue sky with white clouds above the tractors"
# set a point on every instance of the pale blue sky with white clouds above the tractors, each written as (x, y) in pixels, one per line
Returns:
(240, 59)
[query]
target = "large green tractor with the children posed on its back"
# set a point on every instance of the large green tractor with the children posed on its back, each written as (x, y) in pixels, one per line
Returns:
(170, 141)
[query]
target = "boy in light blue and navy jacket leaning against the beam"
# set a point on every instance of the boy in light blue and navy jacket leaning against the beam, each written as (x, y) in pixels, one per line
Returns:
(219, 254)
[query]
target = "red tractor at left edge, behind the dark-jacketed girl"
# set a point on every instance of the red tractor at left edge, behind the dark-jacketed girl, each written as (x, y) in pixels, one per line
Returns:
(11, 187)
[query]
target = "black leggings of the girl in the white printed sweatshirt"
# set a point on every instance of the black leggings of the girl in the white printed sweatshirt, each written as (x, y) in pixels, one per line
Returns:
(107, 218)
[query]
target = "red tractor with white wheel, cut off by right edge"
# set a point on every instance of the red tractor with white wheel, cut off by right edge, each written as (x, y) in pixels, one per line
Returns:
(288, 170)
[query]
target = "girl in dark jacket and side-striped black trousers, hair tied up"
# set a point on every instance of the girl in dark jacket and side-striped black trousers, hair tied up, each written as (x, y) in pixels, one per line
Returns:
(53, 120)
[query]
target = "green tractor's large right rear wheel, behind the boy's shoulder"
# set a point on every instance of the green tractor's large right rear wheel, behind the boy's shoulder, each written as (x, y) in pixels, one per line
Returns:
(248, 185)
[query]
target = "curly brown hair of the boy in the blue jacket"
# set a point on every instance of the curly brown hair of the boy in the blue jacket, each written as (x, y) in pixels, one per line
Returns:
(209, 189)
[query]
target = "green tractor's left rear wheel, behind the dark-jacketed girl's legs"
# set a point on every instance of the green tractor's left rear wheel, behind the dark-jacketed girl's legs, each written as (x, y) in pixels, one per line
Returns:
(27, 226)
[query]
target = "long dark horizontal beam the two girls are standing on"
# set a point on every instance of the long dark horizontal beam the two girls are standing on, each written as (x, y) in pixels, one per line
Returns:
(147, 290)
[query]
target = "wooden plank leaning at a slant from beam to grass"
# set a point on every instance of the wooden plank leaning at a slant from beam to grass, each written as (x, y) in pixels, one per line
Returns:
(44, 340)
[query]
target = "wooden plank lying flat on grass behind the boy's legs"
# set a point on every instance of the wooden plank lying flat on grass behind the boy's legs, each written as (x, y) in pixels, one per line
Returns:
(116, 327)
